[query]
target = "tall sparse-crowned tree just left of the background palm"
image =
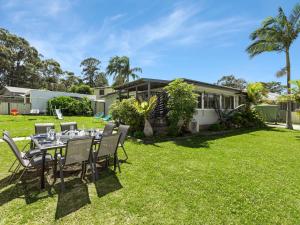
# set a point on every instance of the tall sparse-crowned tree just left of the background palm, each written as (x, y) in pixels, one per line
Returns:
(90, 69)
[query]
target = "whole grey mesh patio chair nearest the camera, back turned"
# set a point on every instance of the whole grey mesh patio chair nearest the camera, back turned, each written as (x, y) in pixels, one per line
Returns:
(78, 150)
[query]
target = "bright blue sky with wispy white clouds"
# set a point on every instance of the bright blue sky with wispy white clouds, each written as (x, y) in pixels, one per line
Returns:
(195, 39)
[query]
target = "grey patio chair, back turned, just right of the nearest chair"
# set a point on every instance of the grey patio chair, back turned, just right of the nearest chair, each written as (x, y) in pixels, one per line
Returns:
(108, 147)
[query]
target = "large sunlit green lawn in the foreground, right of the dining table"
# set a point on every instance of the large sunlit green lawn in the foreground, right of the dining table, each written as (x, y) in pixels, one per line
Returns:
(244, 178)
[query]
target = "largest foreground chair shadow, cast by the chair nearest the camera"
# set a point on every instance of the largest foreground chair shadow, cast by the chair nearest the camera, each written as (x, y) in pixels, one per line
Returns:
(74, 197)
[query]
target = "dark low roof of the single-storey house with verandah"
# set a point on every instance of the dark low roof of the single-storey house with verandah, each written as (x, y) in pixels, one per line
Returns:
(155, 83)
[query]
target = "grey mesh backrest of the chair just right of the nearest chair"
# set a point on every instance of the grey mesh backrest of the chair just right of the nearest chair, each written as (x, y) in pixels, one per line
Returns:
(109, 145)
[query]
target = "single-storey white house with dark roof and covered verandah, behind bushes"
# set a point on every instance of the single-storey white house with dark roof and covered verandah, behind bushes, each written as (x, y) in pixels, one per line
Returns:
(229, 98)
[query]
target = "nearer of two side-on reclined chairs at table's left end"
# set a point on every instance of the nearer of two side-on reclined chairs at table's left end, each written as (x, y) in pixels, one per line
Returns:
(32, 162)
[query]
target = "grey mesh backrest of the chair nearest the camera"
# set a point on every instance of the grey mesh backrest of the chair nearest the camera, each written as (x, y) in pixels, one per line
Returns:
(78, 150)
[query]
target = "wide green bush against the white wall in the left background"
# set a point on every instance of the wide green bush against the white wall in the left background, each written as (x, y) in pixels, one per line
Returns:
(70, 106)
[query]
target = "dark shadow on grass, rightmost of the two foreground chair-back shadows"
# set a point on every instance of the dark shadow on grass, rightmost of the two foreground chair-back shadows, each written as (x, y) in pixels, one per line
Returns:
(108, 182)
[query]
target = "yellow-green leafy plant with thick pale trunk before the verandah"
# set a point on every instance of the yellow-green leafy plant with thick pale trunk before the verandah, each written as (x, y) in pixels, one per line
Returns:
(144, 109)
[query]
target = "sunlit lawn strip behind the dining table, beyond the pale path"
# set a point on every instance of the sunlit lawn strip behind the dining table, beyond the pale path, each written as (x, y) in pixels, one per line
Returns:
(21, 126)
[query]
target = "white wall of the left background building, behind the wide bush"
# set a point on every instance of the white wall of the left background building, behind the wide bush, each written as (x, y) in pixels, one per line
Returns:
(39, 98)
